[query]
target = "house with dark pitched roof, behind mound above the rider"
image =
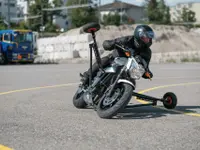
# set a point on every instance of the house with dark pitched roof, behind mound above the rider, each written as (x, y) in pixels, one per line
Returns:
(133, 12)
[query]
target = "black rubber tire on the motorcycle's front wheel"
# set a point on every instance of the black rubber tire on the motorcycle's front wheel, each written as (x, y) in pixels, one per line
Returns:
(124, 98)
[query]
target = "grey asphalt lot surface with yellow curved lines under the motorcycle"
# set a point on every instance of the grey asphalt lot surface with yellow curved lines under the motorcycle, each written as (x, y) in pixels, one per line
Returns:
(44, 118)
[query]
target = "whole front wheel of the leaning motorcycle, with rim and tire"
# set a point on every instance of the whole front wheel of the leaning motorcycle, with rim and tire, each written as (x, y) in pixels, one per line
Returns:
(110, 106)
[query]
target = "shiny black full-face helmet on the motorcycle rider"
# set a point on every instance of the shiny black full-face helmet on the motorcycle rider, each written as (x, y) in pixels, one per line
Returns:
(143, 36)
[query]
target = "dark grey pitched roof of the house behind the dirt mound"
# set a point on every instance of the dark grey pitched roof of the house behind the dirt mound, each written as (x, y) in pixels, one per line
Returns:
(117, 5)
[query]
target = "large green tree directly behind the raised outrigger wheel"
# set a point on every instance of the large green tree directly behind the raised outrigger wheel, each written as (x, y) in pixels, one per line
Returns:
(81, 16)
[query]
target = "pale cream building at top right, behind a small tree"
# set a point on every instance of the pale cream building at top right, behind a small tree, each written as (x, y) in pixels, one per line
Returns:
(176, 10)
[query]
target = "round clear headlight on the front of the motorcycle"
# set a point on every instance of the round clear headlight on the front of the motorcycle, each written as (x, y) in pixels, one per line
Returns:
(136, 72)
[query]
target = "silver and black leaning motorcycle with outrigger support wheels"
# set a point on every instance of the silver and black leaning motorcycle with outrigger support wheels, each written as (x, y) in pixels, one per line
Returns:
(112, 88)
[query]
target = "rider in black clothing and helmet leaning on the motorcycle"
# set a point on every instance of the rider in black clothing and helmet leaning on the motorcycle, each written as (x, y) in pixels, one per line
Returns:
(140, 41)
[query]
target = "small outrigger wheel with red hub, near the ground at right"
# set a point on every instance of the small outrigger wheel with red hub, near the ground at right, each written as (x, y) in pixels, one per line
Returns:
(169, 100)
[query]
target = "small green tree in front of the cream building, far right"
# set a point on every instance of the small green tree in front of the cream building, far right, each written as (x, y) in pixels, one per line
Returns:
(188, 15)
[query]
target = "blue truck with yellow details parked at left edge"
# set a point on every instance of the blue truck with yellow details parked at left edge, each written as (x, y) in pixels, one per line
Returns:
(17, 46)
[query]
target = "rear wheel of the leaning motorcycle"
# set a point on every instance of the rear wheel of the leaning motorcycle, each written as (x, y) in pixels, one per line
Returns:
(78, 100)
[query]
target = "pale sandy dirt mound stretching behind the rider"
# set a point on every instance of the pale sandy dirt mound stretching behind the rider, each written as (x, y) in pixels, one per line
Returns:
(168, 38)
